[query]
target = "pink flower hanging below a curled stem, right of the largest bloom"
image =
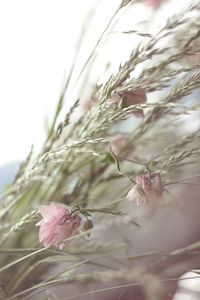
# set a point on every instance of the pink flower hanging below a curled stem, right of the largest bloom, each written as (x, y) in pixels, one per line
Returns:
(146, 189)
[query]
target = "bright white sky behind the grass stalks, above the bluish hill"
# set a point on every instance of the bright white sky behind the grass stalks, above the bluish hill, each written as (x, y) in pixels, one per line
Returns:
(37, 45)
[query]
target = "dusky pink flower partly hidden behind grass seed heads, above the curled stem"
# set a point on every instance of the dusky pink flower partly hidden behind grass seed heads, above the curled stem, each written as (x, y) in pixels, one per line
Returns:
(137, 96)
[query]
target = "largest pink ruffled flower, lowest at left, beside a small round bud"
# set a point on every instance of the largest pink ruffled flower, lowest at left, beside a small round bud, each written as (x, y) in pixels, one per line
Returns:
(57, 225)
